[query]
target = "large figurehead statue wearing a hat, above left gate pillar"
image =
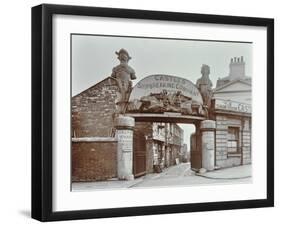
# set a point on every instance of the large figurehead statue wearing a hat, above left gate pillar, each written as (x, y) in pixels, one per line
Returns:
(123, 73)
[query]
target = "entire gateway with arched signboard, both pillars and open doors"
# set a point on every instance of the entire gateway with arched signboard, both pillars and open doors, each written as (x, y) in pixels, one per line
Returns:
(163, 98)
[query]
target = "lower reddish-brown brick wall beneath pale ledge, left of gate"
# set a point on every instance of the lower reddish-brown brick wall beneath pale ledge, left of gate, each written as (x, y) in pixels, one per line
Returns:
(94, 161)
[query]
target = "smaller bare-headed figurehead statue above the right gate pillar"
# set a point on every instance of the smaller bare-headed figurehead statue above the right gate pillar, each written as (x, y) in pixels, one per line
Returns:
(204, 84)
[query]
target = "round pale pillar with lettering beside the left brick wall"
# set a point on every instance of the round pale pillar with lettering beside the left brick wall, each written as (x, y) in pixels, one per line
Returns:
(124, 133)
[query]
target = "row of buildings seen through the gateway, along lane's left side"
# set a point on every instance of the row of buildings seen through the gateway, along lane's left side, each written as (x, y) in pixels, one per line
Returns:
(163, 145)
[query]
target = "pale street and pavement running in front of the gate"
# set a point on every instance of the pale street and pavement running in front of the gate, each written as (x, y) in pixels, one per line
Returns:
(178, 175)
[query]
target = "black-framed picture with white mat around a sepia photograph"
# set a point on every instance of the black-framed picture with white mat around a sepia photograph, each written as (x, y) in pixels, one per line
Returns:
(142, 112)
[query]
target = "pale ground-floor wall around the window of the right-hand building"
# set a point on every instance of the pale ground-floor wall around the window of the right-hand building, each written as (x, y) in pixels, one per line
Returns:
(223, 159)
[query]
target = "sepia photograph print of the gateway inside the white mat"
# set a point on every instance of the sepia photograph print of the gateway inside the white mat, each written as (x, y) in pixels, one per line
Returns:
(159, 112)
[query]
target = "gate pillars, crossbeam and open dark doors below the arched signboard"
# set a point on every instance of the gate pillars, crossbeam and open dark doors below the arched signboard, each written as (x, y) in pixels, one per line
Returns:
(132, 152)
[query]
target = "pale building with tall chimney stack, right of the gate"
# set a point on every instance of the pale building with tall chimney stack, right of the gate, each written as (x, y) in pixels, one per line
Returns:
(232, 113)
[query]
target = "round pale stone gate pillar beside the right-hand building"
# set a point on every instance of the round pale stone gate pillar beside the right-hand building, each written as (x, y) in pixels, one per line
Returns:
(207, 128)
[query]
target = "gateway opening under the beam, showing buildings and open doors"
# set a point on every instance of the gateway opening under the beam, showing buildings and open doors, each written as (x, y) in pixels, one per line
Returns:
(160, 143)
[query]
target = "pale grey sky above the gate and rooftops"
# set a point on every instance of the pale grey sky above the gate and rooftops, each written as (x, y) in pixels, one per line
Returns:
(93, 58)
